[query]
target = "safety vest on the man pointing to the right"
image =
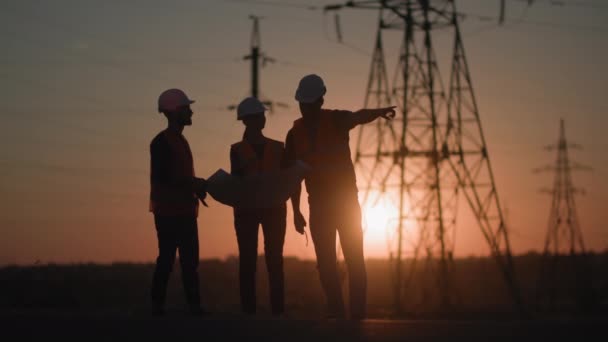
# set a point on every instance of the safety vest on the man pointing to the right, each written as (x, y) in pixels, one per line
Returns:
(327, 151)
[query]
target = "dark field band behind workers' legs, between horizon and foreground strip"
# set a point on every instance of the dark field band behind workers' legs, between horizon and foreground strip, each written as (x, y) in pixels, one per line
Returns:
(478, 287)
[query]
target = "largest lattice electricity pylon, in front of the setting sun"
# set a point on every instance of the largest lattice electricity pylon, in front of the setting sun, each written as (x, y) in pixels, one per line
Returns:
(438, 154)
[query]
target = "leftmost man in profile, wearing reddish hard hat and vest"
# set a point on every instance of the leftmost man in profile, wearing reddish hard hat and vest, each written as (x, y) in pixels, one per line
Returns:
(173, 200)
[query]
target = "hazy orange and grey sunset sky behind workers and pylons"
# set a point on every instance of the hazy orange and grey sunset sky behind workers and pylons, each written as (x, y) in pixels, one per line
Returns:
(79, 82)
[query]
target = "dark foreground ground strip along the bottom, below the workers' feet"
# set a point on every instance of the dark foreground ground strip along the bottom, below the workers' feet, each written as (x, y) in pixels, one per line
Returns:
(72, 326)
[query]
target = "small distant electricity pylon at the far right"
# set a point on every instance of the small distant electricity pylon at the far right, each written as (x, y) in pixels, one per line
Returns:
(565, 272)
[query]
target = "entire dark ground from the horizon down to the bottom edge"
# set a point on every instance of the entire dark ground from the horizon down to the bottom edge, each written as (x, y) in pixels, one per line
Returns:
(92, 302)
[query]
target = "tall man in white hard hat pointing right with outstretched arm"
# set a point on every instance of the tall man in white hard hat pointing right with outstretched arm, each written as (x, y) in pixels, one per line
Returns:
(321, 139)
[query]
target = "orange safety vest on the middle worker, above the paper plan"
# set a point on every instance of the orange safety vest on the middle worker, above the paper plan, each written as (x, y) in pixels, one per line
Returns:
(249, 162)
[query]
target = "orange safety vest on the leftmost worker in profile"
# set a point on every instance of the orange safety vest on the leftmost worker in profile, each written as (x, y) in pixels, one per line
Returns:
(168, 199)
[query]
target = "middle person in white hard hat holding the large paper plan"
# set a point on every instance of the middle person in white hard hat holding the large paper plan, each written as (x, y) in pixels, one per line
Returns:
(256, 154)
